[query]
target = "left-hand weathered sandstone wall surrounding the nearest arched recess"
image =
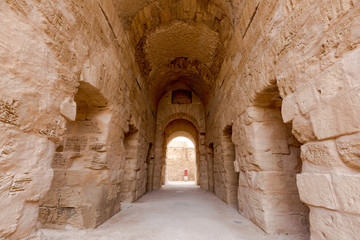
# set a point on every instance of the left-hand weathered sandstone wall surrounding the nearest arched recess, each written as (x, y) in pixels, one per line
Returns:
(47, 47)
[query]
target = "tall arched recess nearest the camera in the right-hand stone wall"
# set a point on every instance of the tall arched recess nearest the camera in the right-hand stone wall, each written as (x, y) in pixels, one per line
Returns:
(268, 159)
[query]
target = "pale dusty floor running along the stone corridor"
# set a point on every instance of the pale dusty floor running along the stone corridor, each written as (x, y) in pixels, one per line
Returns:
(178, 211)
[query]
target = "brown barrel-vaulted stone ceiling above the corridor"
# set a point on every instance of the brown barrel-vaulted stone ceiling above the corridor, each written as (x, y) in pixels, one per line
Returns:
(178, 43)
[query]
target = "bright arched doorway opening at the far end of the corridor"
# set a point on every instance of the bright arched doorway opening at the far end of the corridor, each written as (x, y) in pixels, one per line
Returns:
(180, 161)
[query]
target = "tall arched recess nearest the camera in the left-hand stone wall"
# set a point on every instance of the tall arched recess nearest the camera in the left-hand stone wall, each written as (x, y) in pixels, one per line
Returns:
(80, 164)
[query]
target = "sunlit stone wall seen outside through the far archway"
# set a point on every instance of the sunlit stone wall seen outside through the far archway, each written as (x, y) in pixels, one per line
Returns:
(179, 158)
